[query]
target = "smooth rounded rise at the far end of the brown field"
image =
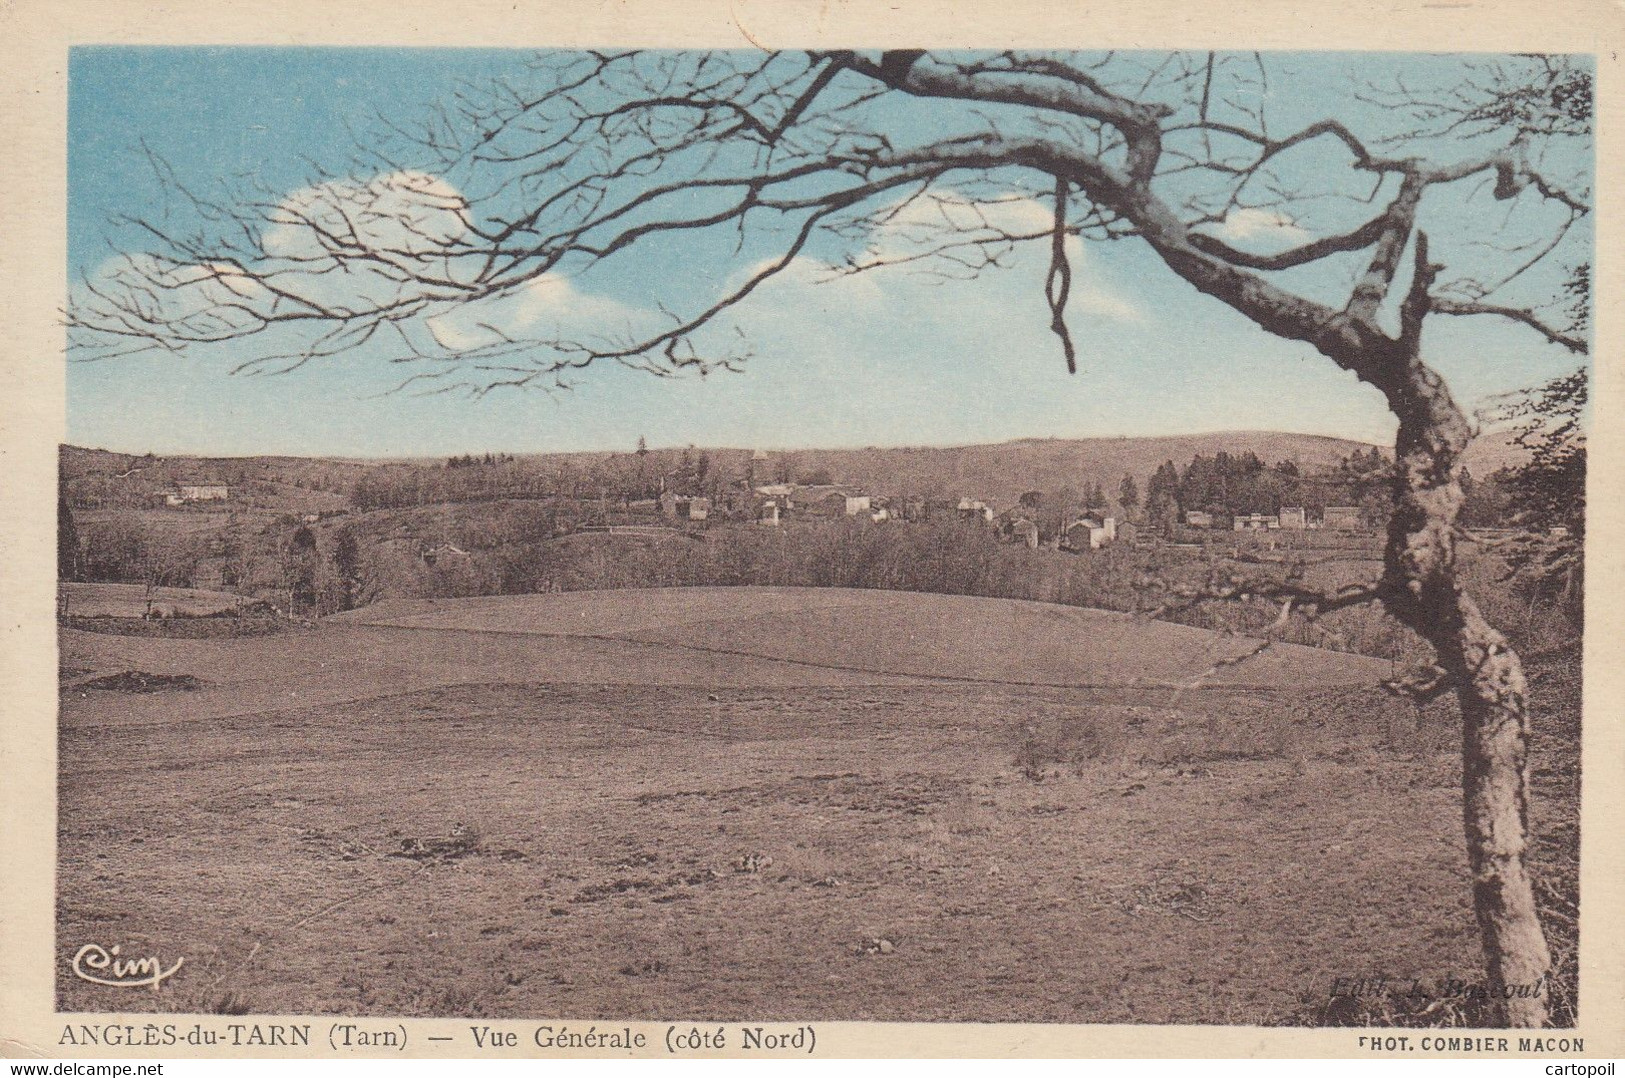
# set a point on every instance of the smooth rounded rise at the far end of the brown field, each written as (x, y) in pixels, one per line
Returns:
(899, 633)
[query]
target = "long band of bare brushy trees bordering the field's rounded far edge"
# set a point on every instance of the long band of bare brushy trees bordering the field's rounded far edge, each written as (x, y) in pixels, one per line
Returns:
(943, 555)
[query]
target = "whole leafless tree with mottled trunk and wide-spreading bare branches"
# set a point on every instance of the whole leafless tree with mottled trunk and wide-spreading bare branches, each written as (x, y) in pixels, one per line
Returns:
(446, 227)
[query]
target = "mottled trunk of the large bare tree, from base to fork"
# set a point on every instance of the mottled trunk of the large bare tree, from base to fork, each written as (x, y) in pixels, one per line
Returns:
(1423, 591)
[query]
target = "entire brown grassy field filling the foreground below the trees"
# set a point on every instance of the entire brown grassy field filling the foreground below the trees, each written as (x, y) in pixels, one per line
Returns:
(763, 802)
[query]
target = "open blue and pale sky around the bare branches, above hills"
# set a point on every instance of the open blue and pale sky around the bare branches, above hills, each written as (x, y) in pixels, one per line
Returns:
(888, 359)
